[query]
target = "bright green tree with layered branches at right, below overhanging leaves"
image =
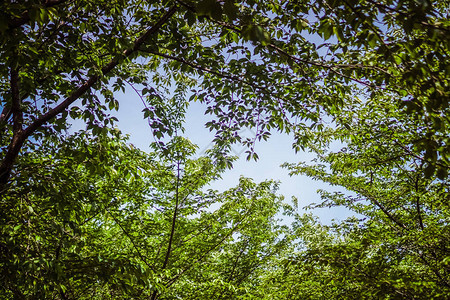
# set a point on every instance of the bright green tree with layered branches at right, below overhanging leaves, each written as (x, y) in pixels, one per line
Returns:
(398, 245)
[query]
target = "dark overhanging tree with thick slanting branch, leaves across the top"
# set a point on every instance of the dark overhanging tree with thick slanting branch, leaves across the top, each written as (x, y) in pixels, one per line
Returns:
(255, 61)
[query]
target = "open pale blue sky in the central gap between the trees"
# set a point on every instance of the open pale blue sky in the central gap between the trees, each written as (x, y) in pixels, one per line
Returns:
(272, 153)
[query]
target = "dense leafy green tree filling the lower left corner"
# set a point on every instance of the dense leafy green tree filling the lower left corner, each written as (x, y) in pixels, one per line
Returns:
(52, 242)
